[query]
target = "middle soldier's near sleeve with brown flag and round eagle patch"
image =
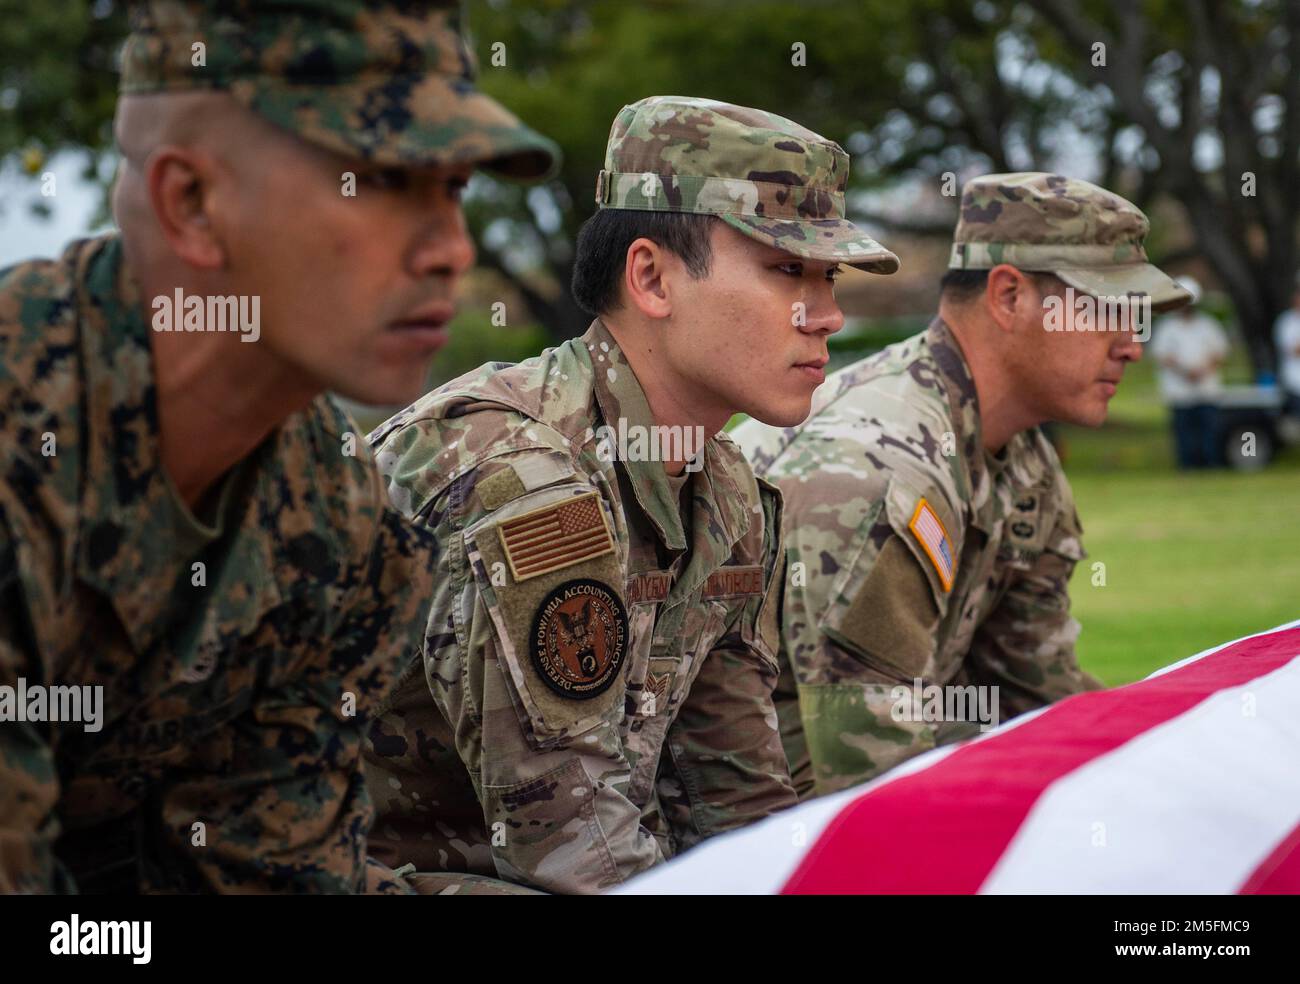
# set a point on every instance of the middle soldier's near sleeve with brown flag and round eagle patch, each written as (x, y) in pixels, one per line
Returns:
(525, 661)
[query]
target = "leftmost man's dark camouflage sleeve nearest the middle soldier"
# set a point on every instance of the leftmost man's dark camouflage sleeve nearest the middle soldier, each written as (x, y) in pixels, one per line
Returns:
(285, 807)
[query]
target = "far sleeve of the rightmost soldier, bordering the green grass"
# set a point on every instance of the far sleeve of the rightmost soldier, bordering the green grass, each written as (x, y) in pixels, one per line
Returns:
(1026, 645)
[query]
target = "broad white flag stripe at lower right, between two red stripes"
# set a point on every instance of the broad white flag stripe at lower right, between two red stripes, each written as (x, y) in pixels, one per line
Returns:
(1190, 807)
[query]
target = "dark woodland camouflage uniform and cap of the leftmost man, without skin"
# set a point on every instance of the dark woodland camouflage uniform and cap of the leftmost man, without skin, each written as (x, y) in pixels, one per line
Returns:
(240, 645)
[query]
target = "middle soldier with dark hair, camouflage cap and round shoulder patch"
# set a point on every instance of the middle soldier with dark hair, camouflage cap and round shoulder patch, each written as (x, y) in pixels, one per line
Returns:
(596, 687)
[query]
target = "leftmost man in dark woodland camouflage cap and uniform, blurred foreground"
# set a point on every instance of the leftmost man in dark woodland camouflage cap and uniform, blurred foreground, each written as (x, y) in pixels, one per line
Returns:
(187, 524)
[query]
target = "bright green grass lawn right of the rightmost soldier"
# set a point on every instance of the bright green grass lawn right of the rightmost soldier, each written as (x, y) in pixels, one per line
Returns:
(1191, 560)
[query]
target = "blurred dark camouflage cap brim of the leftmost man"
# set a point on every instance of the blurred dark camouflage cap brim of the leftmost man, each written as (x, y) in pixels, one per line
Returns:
(431, 120)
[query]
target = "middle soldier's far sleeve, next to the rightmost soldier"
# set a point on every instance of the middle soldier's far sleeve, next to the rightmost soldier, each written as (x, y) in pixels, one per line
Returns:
(729, 766)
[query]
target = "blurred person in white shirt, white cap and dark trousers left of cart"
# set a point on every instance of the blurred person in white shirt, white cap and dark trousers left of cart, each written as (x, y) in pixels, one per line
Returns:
(1189, 349)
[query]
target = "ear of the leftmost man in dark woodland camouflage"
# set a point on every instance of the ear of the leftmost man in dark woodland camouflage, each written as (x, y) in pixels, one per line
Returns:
(180, 188)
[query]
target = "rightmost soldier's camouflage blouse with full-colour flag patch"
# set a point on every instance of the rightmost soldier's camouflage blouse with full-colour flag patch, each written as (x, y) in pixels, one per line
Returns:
(922, 557)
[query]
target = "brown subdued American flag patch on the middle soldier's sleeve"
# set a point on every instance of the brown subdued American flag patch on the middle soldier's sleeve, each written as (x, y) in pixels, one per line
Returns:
(556, 536)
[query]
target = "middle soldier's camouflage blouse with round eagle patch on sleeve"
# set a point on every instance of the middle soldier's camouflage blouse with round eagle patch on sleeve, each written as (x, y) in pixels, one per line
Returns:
(603, 669)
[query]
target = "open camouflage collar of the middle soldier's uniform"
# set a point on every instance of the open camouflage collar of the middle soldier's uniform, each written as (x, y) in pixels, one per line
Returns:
(723, 492)
